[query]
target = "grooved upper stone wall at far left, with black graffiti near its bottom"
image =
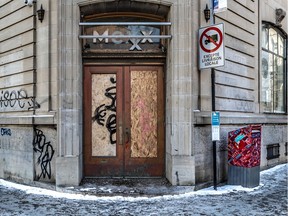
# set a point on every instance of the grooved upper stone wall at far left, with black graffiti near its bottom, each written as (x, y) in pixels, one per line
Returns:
(17, 63)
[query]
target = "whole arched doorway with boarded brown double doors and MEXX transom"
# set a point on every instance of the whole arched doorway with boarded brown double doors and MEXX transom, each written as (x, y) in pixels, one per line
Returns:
(124, 59)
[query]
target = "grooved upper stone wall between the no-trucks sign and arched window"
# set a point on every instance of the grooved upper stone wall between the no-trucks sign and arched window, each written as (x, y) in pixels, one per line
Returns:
(236, 87)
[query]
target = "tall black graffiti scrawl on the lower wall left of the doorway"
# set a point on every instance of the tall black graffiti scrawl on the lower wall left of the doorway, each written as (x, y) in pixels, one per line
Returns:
(40, 145)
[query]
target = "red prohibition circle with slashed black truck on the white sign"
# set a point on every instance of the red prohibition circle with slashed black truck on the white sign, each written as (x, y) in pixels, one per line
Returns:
(211, 40)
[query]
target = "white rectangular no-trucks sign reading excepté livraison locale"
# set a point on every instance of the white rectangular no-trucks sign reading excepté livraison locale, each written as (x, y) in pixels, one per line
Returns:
(211, 46)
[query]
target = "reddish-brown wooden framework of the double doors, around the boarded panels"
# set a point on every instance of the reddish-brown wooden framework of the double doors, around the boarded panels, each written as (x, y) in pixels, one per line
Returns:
(118, 167)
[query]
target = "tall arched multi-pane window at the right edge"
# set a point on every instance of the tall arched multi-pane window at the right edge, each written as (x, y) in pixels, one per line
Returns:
(273, 70)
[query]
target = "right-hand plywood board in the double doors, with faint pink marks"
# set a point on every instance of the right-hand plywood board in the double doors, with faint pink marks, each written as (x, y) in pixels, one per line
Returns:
(144, 113)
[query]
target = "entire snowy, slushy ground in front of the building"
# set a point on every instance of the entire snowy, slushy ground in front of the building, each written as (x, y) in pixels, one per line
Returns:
(147, 197)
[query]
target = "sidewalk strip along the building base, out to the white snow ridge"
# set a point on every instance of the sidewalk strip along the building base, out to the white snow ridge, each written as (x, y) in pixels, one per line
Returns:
(155, 187)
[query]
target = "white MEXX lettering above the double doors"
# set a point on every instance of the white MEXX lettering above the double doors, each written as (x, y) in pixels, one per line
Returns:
(135, 42)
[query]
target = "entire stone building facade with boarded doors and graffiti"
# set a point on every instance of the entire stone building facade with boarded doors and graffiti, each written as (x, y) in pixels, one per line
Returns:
(59, 78)
